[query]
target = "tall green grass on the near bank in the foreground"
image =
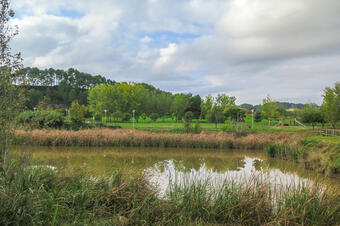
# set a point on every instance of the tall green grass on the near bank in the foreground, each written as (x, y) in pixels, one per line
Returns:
(42, 196)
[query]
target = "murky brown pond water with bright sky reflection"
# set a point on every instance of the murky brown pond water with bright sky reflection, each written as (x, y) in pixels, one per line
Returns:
(180, 165)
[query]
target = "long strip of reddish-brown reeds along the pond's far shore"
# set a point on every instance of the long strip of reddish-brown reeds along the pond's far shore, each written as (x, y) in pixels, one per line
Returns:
(135, 138)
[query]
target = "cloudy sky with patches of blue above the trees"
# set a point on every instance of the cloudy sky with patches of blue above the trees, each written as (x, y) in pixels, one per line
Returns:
(247, 48)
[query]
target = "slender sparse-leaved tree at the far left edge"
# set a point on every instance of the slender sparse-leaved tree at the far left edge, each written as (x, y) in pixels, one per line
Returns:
(11, 95)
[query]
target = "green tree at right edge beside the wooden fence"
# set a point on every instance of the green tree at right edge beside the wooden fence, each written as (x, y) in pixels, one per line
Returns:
(331, 104)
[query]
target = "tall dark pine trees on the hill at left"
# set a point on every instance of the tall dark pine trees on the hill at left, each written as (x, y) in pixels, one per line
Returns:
(59, 86)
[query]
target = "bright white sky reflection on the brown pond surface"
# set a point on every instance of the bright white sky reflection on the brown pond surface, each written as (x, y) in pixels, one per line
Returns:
(165, 173)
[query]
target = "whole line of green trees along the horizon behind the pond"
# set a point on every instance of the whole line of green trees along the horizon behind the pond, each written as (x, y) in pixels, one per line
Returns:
(57, 89)
